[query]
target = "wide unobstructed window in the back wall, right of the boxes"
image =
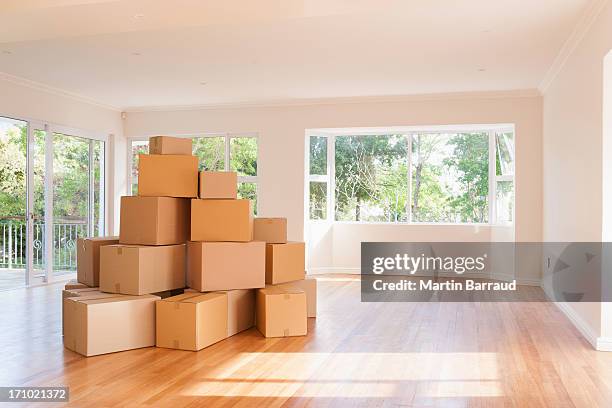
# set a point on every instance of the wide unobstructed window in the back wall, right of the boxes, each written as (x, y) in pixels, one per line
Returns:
(419, 176)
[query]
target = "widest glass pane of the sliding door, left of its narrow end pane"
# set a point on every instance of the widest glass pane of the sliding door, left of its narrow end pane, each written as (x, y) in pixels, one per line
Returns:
(70, 199)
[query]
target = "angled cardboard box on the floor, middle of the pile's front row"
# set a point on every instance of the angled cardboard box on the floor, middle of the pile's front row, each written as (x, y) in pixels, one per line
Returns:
(191, 321)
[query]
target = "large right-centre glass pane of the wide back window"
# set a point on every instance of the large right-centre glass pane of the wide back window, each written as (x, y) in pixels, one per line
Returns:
(450, 178)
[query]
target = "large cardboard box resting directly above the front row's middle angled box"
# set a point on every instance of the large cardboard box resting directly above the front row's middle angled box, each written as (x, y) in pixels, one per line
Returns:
(225, 265)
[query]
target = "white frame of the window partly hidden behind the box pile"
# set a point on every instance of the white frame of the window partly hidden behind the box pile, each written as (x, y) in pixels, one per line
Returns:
(227, 140)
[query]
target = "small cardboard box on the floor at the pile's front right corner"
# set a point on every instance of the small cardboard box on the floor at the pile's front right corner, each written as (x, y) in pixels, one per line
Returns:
(281, 312)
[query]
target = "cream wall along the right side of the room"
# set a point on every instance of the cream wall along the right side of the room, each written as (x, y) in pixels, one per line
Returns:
(577, 187)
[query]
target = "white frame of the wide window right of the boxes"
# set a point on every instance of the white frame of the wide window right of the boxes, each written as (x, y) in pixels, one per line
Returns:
(409, 131)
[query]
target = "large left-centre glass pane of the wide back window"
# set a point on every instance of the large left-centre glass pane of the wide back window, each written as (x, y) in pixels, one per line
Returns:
(371, 178)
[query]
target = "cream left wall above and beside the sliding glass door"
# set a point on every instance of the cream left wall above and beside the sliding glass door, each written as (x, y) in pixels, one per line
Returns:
(21, 99)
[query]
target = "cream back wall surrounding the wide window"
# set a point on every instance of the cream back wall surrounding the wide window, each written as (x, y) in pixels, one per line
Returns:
(281, 132)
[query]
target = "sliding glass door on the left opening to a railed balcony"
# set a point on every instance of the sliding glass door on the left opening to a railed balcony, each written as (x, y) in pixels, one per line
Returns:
(52, 194)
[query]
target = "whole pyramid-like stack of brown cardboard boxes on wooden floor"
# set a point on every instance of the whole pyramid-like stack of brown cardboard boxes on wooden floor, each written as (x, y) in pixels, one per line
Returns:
(190, 267)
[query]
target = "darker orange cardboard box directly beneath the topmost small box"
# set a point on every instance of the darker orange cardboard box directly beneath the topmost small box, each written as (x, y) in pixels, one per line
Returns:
(168, 175)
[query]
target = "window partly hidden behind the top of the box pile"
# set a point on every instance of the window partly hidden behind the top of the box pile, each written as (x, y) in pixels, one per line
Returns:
(215, 153)
